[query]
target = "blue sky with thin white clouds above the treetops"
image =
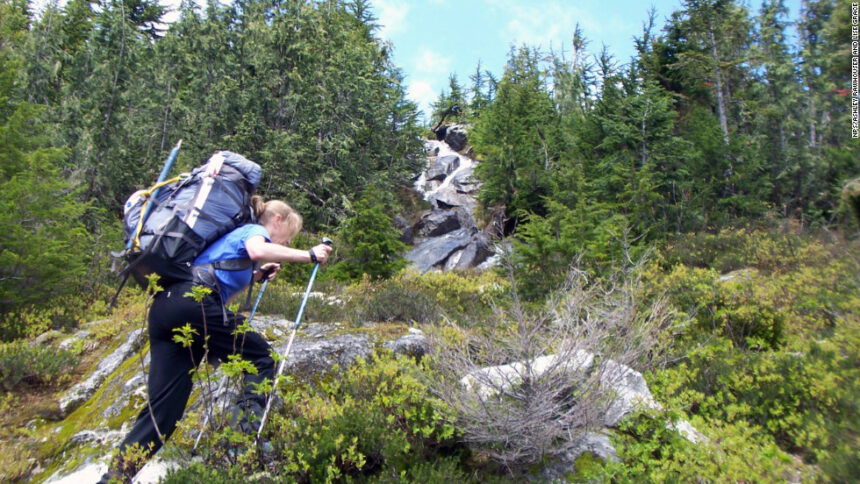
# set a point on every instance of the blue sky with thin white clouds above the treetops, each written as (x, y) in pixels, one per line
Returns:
(434, 38)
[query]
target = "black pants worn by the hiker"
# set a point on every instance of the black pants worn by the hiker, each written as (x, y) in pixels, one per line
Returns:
(169, 384)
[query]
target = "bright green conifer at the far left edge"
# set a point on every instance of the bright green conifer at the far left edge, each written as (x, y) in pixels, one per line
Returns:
(44, 247)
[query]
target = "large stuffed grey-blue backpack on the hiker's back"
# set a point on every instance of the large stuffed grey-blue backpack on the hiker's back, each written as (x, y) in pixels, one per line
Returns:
(168, 225)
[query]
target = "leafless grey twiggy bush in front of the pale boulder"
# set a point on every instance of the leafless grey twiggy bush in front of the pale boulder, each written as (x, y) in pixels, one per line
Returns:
(556, 382)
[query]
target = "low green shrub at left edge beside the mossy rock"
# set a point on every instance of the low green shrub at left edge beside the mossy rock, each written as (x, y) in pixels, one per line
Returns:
(21, 362)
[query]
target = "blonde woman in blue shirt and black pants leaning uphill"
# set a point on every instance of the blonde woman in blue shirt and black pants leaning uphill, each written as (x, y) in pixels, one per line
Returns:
(169, 384)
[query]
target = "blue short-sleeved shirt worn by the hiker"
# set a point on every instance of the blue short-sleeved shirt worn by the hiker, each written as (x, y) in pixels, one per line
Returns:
(230, 247)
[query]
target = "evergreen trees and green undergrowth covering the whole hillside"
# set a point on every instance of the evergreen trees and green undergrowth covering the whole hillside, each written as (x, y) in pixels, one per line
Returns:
(692, 213)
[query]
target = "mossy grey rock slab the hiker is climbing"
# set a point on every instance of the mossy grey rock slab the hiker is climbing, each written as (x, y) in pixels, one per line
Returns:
(316, 349)
